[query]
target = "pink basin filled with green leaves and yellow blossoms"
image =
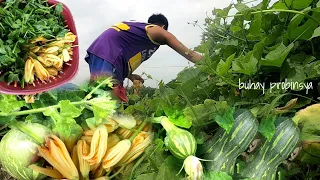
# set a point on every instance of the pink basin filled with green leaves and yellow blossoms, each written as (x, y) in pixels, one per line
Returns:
(38, 46)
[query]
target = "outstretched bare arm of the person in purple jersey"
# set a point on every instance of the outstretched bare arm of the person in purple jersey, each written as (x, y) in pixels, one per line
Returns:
(162, 36)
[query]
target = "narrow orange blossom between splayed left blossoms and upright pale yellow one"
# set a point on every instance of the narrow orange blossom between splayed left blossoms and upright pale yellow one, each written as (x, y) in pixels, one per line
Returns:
(83, 149)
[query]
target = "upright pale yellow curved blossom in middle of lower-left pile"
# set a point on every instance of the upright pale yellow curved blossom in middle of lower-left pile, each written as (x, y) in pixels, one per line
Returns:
(98, 146)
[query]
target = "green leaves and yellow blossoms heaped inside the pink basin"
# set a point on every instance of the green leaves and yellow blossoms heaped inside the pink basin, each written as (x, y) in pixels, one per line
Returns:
(34, 41)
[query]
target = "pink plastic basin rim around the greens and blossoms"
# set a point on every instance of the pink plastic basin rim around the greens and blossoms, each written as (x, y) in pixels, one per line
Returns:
(69, 72)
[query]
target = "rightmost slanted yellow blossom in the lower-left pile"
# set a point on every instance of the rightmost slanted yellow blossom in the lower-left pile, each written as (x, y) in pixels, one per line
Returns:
(139, 144)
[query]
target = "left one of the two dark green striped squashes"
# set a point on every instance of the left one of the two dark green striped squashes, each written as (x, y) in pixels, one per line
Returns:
(224, 148)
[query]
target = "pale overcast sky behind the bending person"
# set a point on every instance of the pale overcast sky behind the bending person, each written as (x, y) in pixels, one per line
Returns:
(92, 17)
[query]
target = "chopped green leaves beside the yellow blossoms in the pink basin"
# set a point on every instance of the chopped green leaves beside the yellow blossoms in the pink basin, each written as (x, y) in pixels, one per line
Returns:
(20, 23)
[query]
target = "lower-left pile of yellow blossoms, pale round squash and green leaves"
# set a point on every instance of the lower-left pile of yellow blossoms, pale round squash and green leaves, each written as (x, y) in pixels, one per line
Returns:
(70, 134)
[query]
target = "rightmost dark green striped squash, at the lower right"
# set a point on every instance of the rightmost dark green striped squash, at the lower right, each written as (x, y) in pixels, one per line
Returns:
(264, 162)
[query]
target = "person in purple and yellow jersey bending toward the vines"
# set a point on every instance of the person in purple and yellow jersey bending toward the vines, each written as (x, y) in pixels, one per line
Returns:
(121, 49)
